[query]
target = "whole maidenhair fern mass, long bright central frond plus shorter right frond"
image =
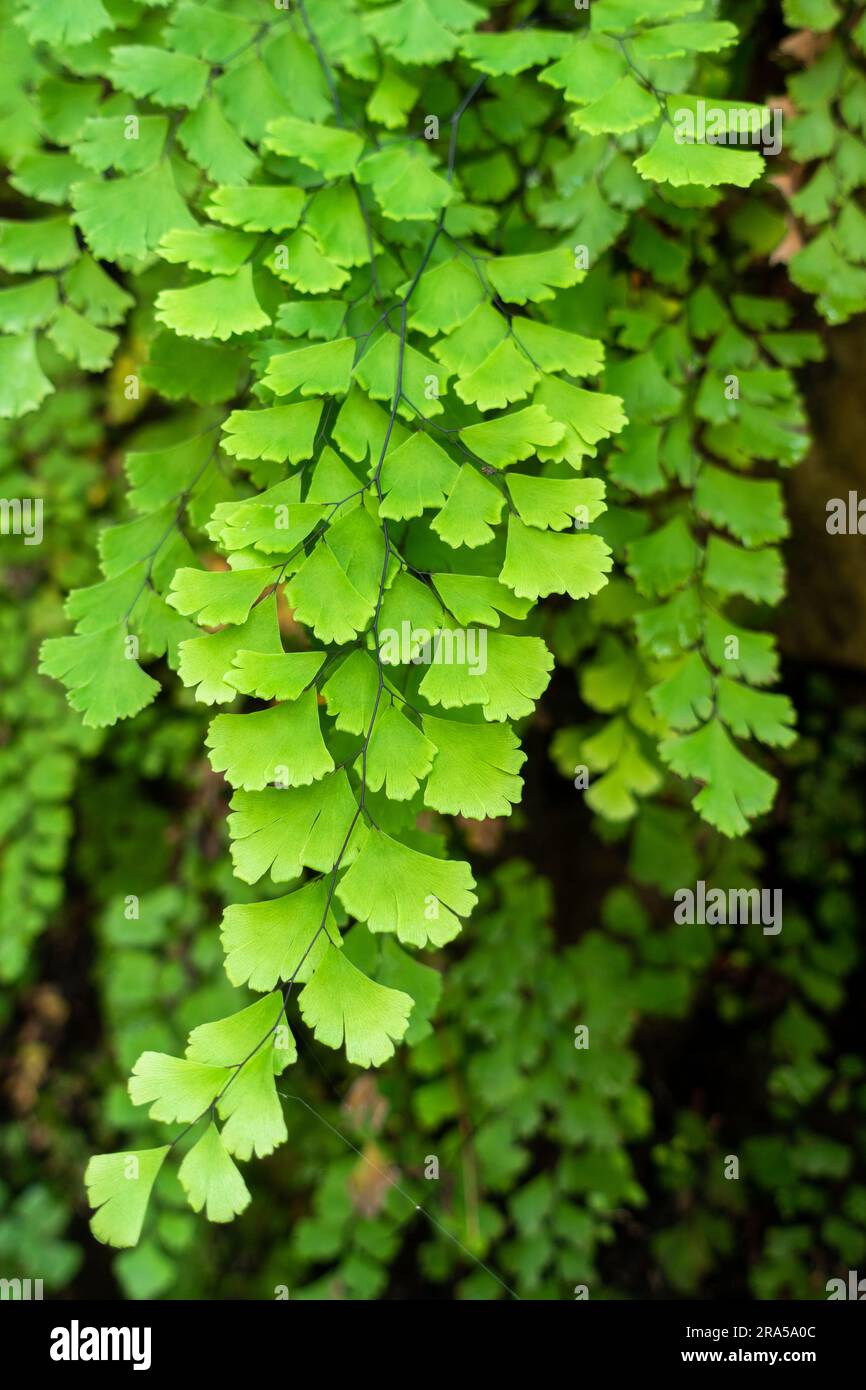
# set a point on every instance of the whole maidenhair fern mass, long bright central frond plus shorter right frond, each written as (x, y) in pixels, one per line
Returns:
(352, 245)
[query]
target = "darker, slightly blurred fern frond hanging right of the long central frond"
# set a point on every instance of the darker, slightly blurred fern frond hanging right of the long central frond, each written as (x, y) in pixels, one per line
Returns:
(710, 401)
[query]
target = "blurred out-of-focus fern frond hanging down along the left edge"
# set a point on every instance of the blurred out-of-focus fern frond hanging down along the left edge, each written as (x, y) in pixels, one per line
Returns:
(48, 469)
